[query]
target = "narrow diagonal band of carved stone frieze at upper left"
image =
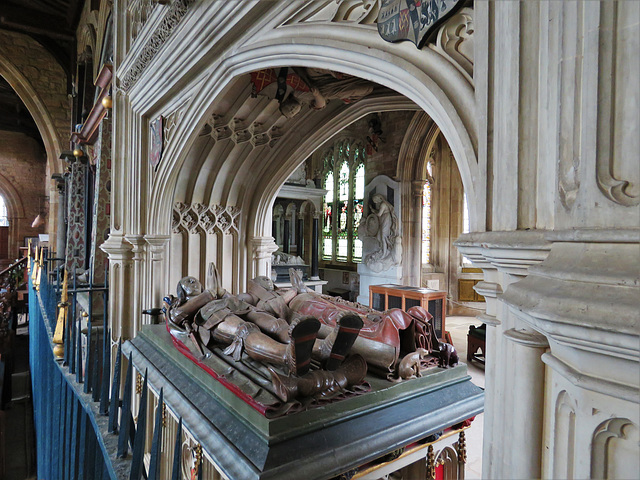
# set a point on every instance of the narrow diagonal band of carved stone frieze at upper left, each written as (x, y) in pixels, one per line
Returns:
(175, 13)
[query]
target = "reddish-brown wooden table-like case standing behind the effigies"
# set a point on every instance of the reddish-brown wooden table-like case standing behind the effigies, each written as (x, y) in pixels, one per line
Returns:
(384, 297)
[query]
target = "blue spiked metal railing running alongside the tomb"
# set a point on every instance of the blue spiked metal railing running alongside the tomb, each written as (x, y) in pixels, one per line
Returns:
(84, 429)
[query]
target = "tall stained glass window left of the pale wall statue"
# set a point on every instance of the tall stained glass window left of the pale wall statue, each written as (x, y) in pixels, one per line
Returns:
(343, 203)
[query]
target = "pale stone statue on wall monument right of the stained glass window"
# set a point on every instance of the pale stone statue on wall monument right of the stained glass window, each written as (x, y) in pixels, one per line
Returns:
(382, 225)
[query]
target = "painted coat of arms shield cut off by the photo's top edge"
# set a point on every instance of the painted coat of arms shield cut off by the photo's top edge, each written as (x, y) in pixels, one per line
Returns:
(413, 20)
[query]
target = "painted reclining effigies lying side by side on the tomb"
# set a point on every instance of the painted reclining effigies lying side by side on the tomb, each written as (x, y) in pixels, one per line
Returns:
(283, 350)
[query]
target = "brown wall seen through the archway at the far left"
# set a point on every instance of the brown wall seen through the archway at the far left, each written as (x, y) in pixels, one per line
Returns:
(23, 193)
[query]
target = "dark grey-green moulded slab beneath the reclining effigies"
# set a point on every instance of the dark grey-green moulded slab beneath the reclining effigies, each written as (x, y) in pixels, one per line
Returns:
(317, 443)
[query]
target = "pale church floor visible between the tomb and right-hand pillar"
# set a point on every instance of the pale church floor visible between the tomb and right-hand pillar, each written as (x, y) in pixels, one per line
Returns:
(459, 327)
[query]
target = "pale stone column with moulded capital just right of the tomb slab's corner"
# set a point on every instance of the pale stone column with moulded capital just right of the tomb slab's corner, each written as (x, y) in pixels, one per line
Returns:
(513, 349)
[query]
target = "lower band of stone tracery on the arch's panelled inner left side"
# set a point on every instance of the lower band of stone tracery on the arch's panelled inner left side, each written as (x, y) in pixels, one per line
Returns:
(207, 218)
